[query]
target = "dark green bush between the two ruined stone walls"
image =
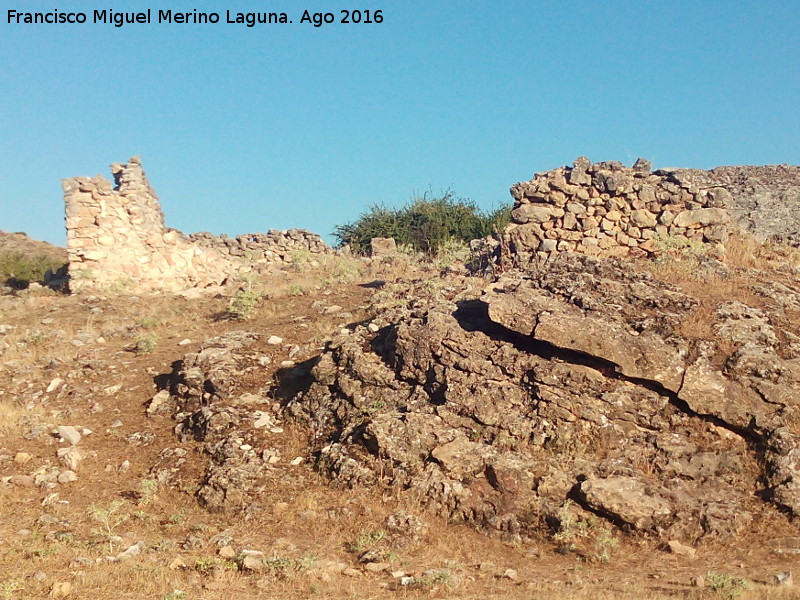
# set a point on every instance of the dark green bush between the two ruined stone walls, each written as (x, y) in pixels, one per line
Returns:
(426, 223)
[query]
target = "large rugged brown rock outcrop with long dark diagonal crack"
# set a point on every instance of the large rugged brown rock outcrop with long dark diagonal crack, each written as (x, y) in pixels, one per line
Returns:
(570, 383)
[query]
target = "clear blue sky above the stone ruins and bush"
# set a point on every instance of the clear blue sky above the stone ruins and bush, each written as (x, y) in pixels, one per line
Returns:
(276, 126)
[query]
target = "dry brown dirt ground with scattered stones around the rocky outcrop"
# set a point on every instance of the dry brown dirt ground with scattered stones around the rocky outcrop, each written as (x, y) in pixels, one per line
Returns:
(74, 361)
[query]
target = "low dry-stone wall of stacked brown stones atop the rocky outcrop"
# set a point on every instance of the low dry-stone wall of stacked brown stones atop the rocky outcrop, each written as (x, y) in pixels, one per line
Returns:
(607, 209)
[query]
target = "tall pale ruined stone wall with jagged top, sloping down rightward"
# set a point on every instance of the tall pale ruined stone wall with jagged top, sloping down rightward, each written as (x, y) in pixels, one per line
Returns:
(117, 240)
